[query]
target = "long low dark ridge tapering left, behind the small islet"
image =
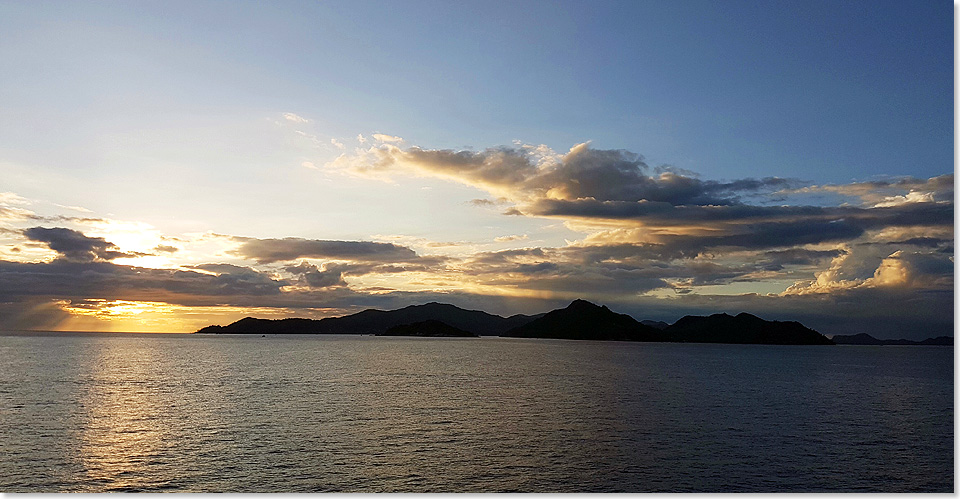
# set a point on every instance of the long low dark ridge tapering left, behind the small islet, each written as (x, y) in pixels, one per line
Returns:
(373, 321)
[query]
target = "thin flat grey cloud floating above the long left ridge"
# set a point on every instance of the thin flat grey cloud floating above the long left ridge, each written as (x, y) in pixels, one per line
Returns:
(293, 248)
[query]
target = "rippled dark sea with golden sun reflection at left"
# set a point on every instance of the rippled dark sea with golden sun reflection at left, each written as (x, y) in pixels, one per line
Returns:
(93, 413)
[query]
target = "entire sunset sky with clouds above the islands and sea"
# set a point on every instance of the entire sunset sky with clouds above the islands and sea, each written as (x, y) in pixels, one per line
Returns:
(169, 165)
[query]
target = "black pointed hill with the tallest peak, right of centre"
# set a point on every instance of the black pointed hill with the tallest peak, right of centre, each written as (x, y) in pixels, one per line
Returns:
(582, 320)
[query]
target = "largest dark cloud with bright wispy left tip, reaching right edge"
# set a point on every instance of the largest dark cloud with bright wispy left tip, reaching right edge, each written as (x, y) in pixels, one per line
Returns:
(617, 187)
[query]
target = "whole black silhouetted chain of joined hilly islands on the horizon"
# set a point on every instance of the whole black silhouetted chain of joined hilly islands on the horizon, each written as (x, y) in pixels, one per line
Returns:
(581, 320)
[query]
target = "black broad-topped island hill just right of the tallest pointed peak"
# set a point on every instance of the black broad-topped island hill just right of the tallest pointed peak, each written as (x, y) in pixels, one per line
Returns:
(743, 328)
